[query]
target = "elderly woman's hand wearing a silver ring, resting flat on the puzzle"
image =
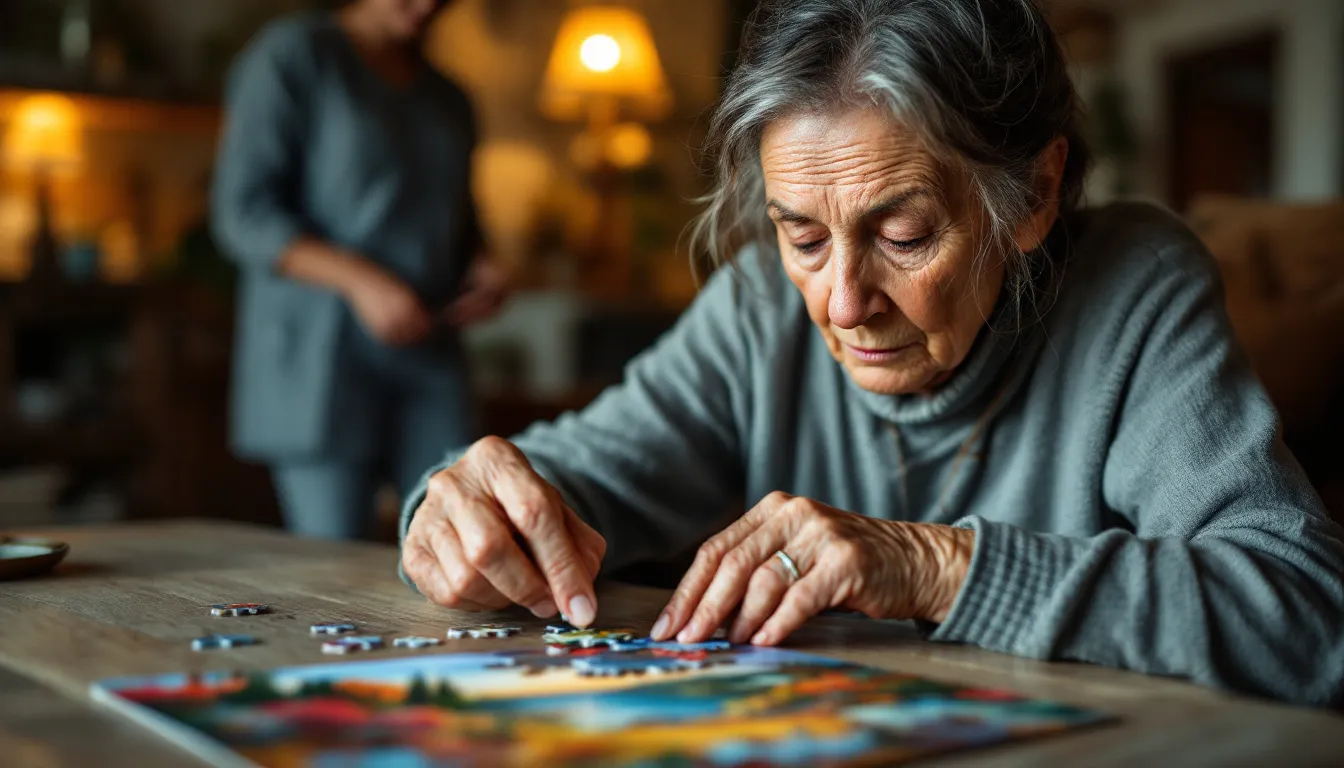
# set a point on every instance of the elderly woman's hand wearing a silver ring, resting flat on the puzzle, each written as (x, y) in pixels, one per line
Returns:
(881, 568)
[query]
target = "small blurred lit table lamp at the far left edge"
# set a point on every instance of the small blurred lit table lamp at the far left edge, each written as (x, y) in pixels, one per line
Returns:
(46, 135)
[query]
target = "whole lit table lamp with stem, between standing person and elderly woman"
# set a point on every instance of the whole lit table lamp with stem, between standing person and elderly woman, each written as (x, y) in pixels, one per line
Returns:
(605, 69)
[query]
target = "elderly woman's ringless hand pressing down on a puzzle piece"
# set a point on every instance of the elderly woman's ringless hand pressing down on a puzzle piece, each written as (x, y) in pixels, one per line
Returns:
(491, 532)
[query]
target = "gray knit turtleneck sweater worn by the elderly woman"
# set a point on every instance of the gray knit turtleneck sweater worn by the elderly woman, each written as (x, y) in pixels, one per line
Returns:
(1132, 500)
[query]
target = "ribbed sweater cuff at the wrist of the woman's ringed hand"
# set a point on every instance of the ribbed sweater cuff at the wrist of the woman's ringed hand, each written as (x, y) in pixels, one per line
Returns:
(1010, 583)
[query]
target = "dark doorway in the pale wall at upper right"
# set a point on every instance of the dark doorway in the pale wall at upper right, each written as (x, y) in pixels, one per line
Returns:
(1222, 120)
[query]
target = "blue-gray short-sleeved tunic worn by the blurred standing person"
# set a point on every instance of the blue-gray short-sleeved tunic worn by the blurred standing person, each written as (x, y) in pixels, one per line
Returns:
(317, 143)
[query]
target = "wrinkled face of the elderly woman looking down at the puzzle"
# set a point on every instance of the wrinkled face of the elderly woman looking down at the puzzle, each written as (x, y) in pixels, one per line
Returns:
(882, 243)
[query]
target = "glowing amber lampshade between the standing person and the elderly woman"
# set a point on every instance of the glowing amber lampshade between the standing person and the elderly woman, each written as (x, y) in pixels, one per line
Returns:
(605, 57)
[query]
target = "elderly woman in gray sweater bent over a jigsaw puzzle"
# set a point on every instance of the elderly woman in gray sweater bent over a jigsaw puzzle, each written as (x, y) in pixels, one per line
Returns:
(950, 393)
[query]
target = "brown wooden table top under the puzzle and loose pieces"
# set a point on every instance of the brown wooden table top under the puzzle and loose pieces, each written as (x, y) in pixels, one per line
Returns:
(130, 599)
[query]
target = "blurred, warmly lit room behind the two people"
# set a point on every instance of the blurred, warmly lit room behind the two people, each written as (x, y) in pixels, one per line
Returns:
(118, 309)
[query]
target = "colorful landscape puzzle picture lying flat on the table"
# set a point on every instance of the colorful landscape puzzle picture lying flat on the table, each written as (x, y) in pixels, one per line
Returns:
(744, 707)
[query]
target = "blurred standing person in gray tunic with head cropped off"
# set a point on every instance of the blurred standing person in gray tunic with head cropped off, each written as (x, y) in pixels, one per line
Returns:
(343, 190)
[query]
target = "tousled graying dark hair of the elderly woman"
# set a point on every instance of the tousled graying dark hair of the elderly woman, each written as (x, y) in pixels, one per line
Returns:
(983, 83)
